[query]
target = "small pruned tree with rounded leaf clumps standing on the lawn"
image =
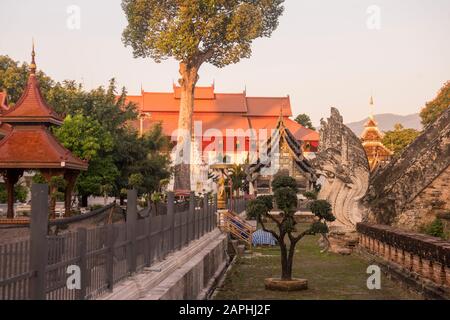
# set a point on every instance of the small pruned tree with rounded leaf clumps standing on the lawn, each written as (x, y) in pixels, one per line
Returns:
(289, 233)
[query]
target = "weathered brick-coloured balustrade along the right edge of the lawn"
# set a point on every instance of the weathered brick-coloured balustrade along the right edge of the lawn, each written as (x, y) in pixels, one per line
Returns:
(418, 256)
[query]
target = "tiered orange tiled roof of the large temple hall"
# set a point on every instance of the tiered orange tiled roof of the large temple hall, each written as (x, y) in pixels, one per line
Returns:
(220, 111)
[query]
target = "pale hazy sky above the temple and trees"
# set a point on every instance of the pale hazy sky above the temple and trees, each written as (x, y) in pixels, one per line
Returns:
(323, 54)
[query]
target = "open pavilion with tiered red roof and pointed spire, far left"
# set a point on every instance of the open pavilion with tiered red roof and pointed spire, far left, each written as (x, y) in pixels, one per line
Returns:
(29, 145)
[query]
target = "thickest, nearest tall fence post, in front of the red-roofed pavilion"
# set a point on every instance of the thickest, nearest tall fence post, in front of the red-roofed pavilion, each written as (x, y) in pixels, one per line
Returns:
(38, 240)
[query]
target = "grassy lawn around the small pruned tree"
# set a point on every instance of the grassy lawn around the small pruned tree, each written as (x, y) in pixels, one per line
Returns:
(330, 276)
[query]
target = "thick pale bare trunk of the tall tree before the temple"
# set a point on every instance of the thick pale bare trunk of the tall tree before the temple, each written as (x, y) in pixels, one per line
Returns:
(189, 78)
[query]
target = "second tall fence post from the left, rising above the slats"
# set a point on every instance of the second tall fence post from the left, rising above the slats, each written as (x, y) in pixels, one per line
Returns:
(131, 229)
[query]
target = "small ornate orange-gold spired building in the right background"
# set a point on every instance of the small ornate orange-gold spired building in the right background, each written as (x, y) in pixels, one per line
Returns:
(377, 153)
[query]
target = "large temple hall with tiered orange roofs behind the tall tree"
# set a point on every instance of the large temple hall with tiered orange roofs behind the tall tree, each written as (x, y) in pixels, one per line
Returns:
(227, 126)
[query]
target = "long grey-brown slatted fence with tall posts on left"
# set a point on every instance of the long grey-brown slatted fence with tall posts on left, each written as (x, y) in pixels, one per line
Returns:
(46, 267)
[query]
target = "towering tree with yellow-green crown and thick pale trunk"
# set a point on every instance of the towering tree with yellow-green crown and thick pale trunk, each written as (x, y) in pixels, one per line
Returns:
(193, 32)
